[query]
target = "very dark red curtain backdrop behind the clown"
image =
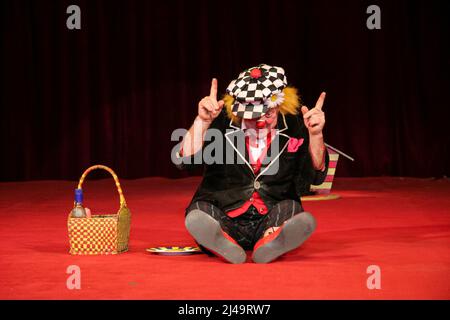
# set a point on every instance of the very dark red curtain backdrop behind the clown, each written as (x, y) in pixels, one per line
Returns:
(114, 91)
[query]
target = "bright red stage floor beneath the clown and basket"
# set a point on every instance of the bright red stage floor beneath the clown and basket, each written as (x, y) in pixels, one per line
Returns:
(401, 225)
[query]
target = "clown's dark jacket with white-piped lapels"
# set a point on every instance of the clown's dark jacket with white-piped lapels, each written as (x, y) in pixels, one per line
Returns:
(283, 175)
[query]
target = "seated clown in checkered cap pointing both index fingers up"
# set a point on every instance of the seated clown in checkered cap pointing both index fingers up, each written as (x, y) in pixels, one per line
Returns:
(253, 203)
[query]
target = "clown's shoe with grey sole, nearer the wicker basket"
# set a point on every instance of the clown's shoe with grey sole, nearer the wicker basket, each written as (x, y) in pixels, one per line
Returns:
(208, 233)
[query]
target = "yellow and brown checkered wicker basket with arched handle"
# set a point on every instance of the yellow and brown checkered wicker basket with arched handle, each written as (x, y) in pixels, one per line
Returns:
(100, 234)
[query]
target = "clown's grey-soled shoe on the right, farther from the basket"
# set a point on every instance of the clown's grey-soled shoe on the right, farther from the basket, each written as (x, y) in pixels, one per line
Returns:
(288, 237)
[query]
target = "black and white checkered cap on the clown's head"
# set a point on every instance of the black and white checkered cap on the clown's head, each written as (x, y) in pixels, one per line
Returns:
(252, 94)
